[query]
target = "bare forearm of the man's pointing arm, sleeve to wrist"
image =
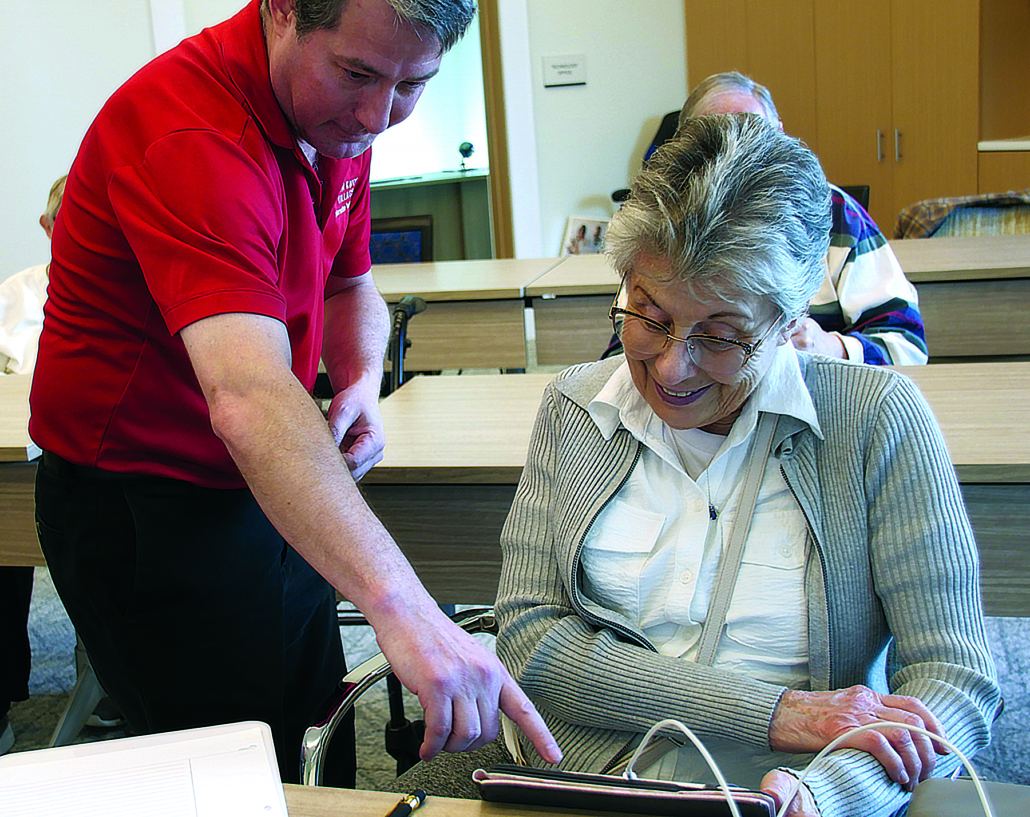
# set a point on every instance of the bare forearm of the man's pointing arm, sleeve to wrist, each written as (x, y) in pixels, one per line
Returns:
(286, 452)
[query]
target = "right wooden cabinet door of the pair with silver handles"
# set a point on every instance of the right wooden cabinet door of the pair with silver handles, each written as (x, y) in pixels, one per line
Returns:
(936, 69)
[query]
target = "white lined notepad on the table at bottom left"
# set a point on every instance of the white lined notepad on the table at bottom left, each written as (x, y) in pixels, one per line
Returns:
(210, 772)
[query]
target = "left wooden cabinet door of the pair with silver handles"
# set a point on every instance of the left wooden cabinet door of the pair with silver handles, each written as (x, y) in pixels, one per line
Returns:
(853, 98)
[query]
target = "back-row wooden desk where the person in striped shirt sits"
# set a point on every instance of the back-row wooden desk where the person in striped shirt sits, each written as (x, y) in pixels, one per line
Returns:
(974, 294)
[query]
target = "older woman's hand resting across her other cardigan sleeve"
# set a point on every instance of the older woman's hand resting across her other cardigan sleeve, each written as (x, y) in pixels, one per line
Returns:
(808, 722)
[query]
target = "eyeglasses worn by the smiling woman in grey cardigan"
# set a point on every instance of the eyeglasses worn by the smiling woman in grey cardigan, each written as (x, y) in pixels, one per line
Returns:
(647, 338)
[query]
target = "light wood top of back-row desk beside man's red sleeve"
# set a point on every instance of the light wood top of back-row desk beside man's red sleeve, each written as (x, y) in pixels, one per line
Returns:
(460, 281)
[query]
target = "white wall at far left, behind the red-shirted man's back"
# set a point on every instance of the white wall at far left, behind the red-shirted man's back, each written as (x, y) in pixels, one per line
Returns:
(60, 61)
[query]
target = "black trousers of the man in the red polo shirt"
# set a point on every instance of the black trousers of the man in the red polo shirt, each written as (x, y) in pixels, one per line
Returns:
(193, 609)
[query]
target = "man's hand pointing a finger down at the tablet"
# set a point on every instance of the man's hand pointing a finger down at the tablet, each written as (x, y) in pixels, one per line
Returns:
(461, 685)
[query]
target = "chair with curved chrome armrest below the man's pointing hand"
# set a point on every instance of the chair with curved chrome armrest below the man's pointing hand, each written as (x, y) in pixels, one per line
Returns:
(358, 683)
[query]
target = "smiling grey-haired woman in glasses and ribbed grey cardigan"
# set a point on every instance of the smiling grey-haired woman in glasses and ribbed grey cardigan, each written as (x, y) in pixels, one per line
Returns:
(718, 529)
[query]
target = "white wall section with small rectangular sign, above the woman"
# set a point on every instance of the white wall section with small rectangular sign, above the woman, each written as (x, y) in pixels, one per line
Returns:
(591, 140)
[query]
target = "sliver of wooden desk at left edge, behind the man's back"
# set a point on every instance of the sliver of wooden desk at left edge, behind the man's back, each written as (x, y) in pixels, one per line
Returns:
(18, 527)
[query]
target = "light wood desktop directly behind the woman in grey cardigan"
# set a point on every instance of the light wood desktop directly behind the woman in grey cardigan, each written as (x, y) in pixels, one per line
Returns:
(476, 429)
